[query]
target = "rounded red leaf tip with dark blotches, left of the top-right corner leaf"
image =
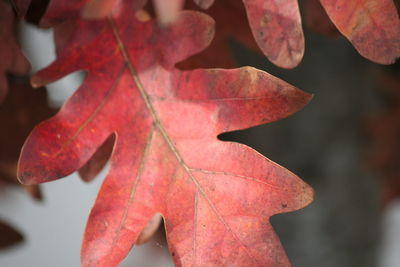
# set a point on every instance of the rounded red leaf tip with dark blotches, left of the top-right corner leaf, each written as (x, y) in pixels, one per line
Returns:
(276, 27)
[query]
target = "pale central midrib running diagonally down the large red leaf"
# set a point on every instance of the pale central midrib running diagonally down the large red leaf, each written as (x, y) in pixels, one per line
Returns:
(157, 124)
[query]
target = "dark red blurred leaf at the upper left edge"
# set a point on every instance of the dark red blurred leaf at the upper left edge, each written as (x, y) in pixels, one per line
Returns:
(12, 59)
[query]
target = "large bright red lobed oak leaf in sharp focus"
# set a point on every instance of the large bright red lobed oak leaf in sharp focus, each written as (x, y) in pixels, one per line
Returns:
(215, 197)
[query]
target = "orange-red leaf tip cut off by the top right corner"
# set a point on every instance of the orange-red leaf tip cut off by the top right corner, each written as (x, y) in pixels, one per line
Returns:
(372, 26)
